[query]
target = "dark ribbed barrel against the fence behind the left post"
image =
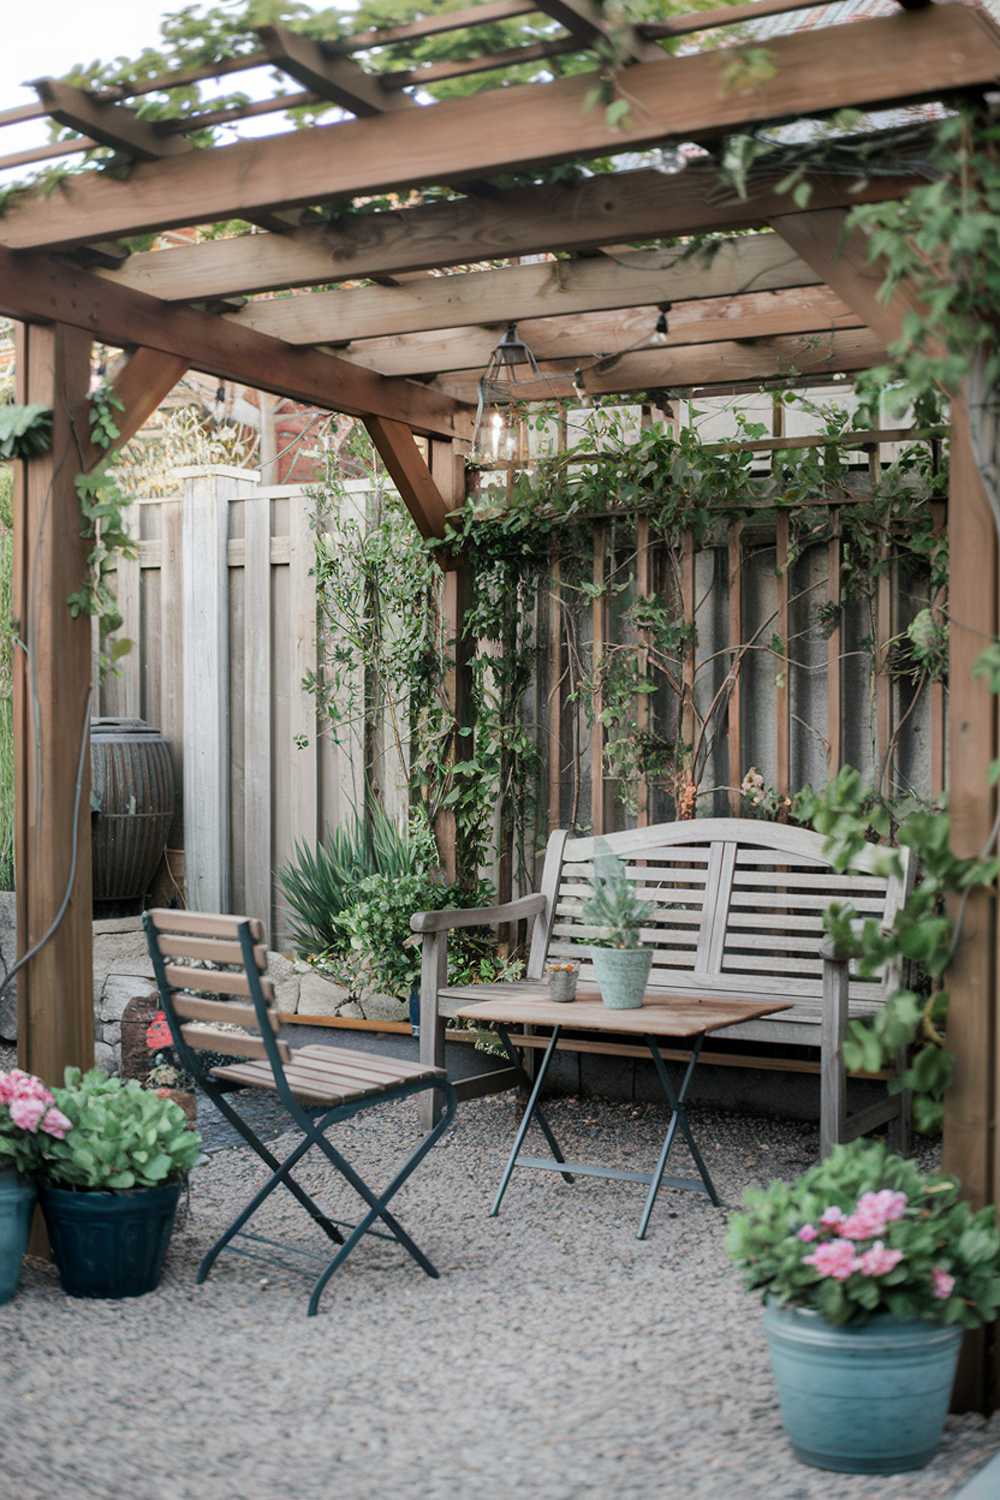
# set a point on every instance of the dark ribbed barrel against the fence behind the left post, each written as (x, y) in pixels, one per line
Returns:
(134, 806)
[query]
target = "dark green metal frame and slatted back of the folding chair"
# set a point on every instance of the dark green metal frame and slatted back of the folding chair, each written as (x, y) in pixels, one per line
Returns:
(196, 935)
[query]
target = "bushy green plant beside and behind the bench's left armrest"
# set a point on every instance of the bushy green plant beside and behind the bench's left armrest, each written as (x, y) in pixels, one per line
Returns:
(383, 953)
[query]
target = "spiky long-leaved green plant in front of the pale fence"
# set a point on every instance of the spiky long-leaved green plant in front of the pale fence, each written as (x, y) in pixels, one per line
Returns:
(322, 884)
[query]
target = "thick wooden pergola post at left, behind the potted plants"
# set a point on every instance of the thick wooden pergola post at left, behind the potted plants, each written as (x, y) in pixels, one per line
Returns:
(52, 715)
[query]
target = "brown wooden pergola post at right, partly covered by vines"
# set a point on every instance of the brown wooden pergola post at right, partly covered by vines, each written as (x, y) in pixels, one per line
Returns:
(971, 1103)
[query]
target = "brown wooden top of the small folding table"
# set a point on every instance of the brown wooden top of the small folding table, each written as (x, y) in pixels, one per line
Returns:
(662, 1015)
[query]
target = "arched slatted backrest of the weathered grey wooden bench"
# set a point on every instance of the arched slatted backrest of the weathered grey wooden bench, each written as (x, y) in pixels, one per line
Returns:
(740, 907)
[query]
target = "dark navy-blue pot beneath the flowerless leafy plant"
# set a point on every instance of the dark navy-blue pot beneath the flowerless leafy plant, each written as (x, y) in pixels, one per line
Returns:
(110, 1244)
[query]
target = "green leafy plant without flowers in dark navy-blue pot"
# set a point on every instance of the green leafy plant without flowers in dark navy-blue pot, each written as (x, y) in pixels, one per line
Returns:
(110, 1189)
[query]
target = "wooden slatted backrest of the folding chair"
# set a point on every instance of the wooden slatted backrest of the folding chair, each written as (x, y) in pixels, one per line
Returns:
(203, 956)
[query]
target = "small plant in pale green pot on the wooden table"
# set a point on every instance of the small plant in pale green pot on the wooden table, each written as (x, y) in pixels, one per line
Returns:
(621, 964)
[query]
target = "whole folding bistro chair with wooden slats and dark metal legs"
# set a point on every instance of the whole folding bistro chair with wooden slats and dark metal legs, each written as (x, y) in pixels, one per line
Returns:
(317, 1085)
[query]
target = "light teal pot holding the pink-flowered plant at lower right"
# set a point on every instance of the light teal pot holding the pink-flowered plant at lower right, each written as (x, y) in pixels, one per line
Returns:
(869, 1400)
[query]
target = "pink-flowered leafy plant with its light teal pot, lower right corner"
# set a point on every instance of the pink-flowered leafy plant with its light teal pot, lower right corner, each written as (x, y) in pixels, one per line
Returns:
(870, 1270)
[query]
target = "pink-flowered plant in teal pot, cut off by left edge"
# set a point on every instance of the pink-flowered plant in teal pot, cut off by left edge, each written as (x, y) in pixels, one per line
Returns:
(28, 1115)
